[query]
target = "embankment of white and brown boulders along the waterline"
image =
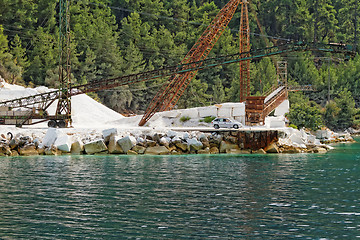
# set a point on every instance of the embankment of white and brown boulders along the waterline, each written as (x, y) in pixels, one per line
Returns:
(56, 142)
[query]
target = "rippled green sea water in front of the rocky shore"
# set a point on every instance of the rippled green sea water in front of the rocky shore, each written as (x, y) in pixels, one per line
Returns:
(301, 196)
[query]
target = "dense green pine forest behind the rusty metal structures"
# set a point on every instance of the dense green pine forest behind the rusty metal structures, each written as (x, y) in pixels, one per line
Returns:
(119, 37)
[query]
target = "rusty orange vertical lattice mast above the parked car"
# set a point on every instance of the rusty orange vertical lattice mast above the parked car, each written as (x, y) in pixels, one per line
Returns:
(244, 48)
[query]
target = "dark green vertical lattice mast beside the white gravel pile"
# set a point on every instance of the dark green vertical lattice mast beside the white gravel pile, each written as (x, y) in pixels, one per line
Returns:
(63, 110)
